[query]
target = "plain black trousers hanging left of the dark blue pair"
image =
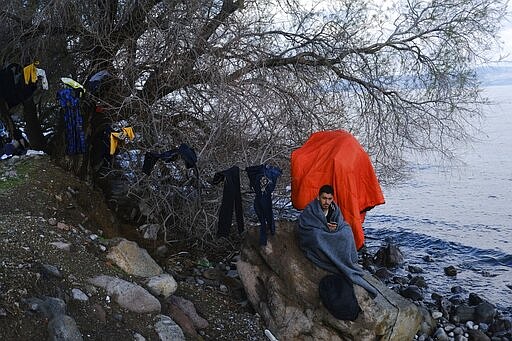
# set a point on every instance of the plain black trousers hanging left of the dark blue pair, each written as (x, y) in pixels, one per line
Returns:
(231, 198)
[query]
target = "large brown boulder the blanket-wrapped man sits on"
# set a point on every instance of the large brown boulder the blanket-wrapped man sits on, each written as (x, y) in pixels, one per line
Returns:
(282, 285)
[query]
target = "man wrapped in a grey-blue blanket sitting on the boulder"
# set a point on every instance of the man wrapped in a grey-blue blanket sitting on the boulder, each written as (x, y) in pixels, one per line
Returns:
(327, 240)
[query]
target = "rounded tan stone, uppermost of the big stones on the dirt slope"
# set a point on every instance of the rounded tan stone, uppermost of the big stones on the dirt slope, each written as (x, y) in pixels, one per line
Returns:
(133, 259)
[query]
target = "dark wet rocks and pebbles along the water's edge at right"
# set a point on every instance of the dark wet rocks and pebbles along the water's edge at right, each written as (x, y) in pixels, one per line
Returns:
(455, 313)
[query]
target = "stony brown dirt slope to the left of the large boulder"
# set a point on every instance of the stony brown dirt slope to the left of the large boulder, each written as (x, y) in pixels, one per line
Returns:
(54, 236)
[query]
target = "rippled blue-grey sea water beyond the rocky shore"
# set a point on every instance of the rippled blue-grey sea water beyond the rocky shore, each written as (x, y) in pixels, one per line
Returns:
(460, 214)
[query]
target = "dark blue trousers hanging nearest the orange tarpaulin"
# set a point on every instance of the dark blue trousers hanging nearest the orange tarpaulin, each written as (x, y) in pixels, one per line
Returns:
(263, 180)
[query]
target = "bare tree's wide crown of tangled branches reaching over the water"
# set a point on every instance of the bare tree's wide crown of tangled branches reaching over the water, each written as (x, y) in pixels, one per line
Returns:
(246, 82)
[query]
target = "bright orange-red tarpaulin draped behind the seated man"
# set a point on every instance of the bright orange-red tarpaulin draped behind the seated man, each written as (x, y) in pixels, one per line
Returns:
(336, 158)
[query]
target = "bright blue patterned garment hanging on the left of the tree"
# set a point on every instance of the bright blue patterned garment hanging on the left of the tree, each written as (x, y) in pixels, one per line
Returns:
(75, 137)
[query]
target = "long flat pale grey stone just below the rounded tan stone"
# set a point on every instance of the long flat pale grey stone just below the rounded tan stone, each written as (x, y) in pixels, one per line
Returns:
(127, 295)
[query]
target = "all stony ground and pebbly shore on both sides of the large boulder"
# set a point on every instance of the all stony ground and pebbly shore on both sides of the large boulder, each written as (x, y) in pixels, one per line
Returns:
(56, 234)
